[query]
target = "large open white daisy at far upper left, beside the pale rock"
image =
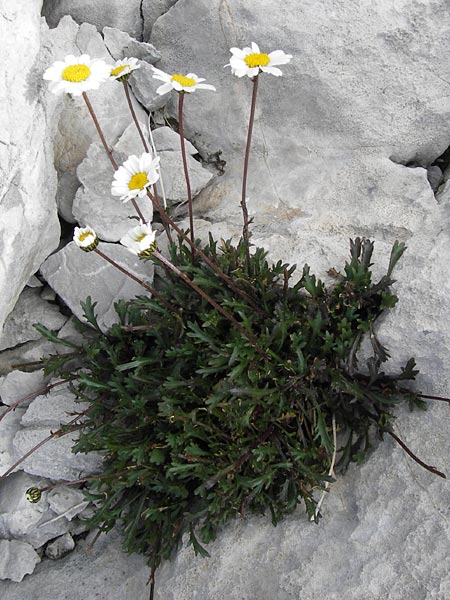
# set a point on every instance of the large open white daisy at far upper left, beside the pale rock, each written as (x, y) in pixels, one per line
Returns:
(76, 74)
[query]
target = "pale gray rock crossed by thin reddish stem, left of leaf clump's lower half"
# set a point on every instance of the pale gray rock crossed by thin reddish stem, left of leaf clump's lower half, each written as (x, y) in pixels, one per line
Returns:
(55, 458)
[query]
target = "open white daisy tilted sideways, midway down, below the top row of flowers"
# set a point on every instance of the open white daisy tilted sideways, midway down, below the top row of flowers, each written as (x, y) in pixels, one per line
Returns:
(134, 177)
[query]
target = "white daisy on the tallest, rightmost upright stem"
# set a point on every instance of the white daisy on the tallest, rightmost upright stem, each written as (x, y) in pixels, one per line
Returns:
(250, 61)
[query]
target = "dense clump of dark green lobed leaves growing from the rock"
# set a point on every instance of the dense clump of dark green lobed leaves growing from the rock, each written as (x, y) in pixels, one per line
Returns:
(196, 426)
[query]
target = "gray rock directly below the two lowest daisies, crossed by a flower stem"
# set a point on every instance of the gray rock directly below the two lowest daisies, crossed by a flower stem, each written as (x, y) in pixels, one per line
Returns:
(75, 274)
